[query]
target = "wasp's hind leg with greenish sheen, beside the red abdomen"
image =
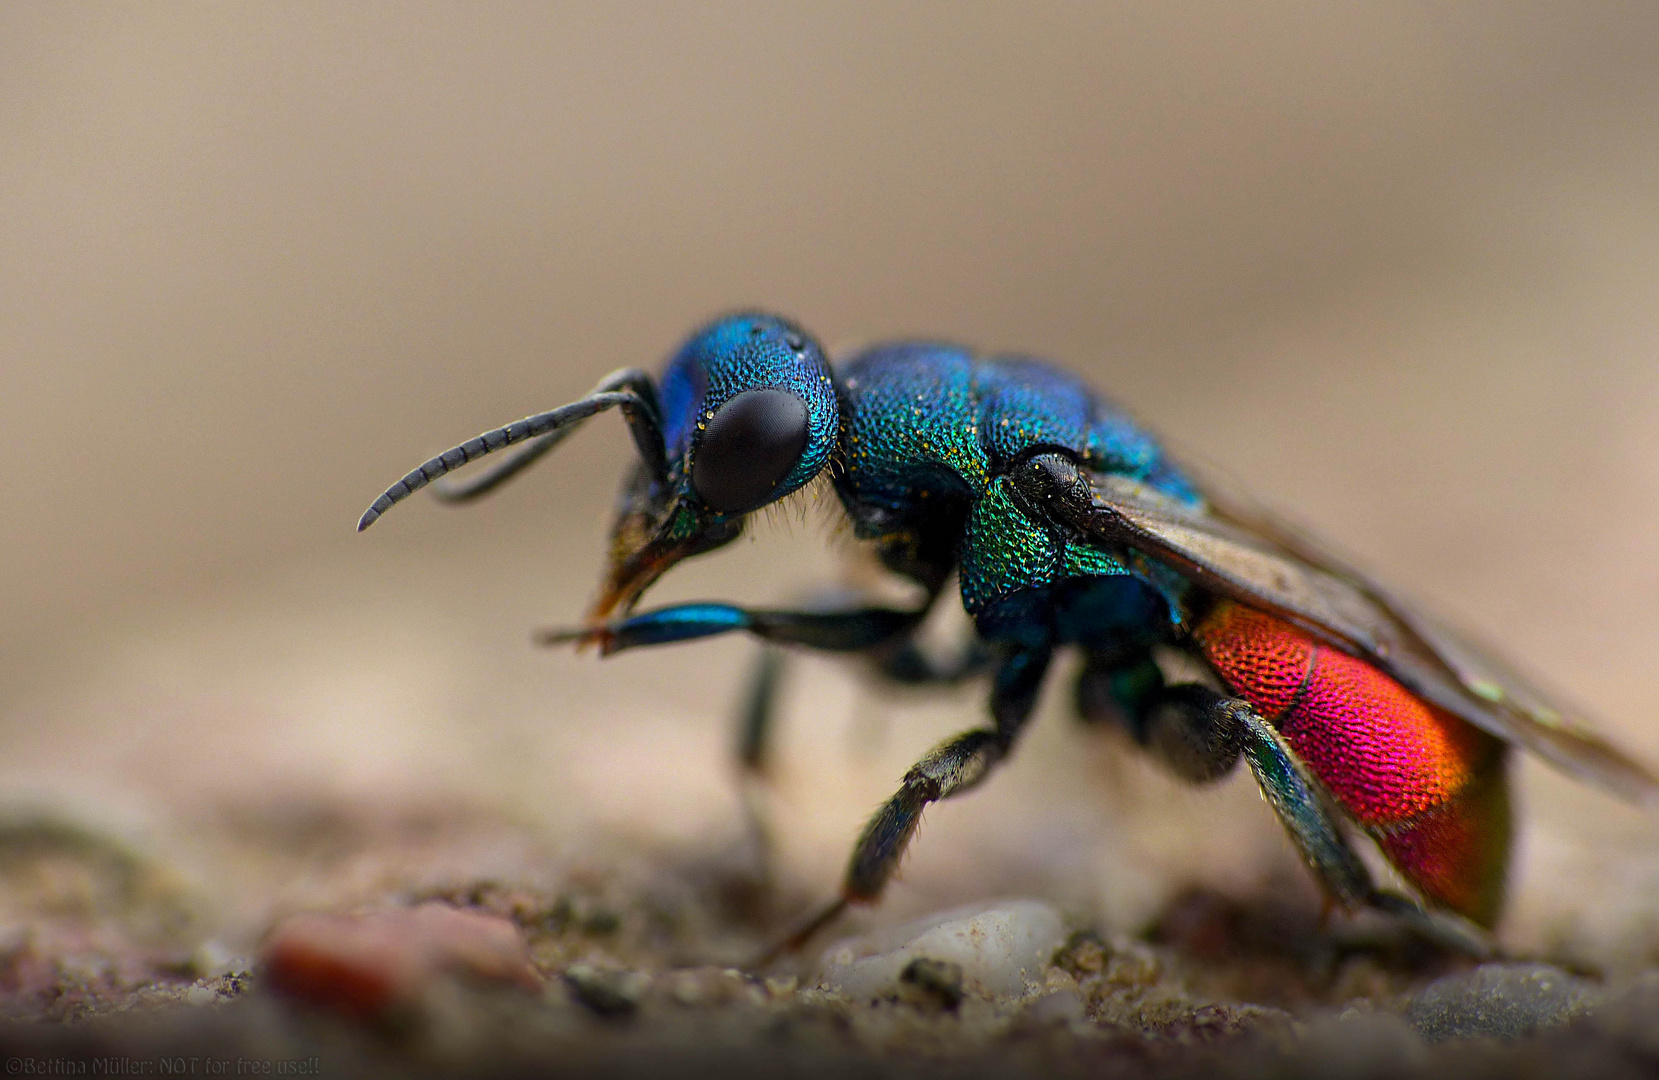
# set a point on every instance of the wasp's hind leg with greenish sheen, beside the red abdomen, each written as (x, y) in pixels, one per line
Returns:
(1204, 734)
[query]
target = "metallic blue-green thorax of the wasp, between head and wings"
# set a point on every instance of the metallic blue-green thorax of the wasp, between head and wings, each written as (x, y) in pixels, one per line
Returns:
(930, 431)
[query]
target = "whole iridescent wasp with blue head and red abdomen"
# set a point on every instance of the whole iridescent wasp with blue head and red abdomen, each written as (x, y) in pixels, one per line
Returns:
(1068, 525)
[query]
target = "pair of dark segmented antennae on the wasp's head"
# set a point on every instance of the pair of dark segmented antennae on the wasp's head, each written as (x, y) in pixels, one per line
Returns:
(628, 389)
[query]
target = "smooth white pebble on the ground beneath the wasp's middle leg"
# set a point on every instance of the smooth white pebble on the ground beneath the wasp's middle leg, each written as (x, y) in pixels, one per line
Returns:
(1001, 948)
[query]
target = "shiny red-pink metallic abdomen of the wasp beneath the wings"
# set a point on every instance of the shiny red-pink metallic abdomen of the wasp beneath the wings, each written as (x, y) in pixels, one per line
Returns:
(1428, 786)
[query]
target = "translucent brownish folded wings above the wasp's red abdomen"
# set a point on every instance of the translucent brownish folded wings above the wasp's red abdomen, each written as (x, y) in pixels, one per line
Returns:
(1247, 557)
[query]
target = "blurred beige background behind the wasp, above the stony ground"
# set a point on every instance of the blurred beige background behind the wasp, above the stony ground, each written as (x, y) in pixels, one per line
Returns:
(1394, 265)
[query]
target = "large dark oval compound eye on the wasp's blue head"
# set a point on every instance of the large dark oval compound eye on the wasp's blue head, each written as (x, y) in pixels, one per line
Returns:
(747, 450)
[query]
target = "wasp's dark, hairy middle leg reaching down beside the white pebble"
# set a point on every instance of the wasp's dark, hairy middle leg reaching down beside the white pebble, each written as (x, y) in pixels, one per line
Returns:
(950, 769)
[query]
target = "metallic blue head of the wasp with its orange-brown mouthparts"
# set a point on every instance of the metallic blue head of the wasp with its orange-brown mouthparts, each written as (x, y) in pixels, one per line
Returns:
(749, 416)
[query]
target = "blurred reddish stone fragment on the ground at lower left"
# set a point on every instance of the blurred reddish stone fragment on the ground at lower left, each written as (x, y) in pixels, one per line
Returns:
(364, 965)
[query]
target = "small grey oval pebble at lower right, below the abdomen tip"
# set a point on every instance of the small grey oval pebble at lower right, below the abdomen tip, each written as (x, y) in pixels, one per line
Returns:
(1499, 1001)
